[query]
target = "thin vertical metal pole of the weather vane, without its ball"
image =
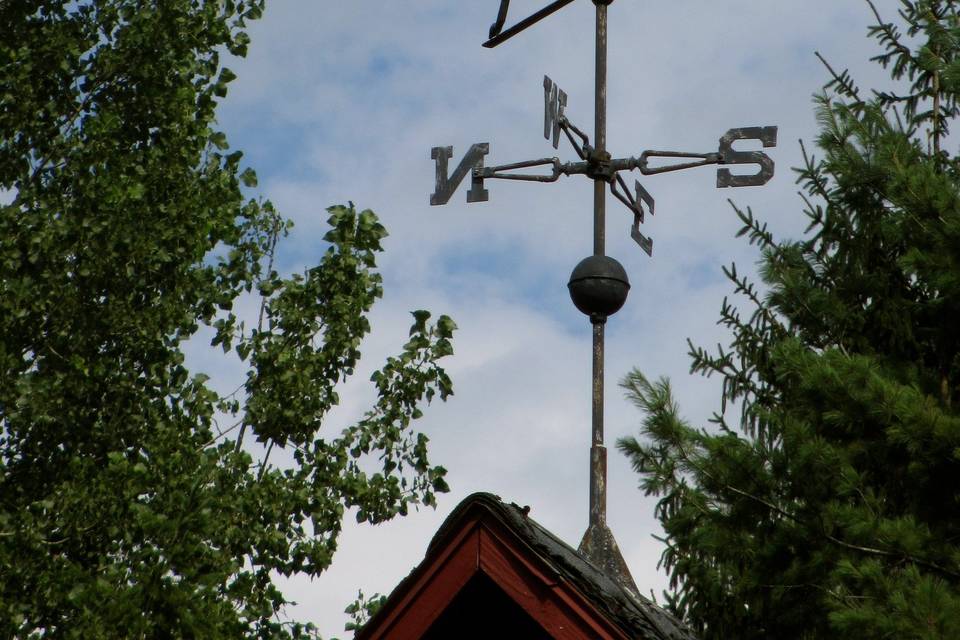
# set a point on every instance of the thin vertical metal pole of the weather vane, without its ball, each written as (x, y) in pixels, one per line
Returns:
(598, 454)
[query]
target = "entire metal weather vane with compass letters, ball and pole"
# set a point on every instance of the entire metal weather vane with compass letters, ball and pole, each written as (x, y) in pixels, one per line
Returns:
(598, 284)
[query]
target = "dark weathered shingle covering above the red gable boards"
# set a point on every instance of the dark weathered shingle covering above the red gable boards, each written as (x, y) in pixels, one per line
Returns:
(631, 615)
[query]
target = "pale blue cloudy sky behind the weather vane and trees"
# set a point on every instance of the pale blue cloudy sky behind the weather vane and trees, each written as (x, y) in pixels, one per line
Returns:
(342, 101)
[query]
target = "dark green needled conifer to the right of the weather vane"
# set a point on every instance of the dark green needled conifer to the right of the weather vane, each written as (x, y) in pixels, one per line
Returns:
(829, 508)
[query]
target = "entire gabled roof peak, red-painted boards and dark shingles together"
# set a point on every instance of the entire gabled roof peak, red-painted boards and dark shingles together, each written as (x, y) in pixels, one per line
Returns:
(544, 581)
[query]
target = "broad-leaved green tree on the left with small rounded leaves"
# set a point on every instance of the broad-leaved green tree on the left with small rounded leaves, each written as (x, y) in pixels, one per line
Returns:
(129, 506)
